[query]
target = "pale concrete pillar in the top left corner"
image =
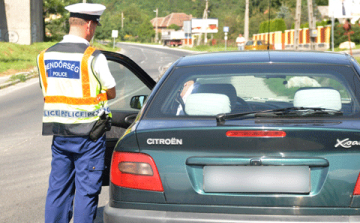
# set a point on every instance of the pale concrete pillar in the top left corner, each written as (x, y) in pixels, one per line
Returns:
(21, 21)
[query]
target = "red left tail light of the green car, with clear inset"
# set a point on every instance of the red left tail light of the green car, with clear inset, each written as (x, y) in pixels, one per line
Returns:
(135, 171)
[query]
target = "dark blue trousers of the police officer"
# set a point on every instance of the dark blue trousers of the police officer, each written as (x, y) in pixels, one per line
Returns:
(76, 171)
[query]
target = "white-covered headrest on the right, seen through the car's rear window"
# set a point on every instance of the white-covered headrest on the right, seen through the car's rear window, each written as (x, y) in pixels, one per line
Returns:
(327, 98)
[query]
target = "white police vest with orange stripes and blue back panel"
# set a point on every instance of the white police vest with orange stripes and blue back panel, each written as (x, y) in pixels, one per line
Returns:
(73, 111)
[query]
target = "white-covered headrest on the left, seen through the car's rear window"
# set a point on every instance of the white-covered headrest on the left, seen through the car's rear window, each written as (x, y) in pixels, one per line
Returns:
(207, 104)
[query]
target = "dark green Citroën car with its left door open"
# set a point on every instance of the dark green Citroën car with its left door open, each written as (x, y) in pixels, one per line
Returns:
(260, 136)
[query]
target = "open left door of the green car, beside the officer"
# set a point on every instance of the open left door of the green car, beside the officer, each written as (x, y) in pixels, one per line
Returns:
(131, 80)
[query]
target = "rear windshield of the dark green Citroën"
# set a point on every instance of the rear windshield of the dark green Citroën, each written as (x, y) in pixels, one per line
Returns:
(211, 90)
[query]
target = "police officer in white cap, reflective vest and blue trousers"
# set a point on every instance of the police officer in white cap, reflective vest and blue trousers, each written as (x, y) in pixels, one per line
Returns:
(76, 84)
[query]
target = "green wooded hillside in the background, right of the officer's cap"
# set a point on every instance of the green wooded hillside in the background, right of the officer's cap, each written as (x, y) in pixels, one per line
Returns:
(229, 12)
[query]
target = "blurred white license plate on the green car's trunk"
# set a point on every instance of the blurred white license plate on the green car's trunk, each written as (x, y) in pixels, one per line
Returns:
(257, 179)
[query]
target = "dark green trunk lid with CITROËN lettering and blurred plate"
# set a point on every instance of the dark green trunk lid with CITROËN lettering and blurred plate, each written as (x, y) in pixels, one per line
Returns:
(310, 166)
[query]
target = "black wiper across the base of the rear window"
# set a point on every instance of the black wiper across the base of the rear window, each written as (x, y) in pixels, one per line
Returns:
(298, 111)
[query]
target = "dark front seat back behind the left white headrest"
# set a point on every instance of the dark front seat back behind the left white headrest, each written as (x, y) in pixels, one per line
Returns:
(226, 89)
